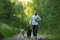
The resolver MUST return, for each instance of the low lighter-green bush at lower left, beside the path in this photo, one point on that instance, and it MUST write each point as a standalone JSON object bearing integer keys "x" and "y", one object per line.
{"x": 7, "y": 31}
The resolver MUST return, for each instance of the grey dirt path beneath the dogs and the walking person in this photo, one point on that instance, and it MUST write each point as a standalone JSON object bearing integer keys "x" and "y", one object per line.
{"x": 19, "y": 37}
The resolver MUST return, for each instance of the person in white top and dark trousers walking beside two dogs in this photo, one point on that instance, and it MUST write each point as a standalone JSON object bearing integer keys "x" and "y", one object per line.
{"x": 34, "y": 22}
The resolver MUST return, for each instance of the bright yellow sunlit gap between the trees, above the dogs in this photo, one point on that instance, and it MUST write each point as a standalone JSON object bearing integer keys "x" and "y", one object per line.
{"x": 28, "y": 10}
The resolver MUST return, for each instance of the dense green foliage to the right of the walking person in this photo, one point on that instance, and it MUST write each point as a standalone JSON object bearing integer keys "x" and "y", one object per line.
{"x": 49, "y": 12}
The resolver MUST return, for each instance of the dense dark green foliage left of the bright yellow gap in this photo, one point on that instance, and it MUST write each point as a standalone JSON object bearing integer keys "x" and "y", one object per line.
{"x": 9, "y": 18}
